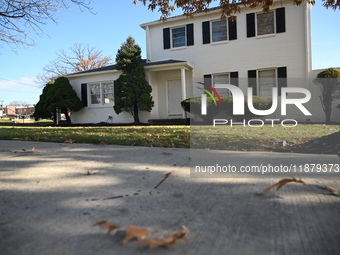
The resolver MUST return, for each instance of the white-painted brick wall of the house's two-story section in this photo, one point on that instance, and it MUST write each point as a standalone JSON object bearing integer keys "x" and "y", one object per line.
{"x": 289, "y": 49}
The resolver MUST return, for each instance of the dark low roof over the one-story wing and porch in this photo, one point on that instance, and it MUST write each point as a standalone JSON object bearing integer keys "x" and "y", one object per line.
{"x": 113, "y": 68}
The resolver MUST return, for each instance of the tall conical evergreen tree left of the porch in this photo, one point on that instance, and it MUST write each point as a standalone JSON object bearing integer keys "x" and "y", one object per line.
{"x": 132, "y": 91}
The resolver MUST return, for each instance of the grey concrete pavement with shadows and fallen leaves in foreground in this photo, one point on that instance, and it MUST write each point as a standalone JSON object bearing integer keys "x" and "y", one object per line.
{"x": 48, "y": 204}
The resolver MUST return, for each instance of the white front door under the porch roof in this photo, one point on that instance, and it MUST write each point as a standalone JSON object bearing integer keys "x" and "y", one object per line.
{"x": 174, "y": 98}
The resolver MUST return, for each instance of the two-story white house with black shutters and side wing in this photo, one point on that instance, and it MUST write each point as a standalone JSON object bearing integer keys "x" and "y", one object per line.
{"x": 258, "y": 50}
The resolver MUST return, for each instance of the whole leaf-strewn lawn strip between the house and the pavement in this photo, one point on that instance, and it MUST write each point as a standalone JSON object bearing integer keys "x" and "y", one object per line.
{"x": 220, "y": 137}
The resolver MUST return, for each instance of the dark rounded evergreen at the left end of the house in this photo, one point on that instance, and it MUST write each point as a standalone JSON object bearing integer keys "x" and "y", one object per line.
{"x": 57, "y": 95}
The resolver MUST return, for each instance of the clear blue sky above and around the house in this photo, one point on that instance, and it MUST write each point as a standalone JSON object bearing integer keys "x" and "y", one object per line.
{"x": 113, "y": 22}
